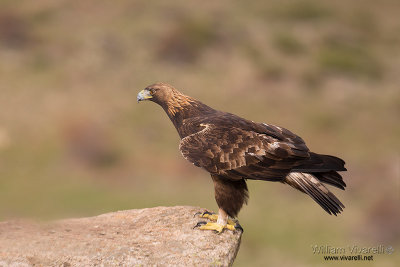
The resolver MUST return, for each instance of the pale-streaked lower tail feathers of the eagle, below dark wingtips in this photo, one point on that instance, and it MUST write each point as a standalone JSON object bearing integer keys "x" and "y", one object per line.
{"x": 312, "y": 186}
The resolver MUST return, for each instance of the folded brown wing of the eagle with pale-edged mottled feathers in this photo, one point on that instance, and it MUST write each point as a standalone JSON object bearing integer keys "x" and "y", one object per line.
{"x": 236, "y": 154}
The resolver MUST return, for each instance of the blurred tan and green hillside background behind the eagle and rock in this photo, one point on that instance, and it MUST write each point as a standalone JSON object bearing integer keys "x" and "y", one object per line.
{"x": 74, "y": 142}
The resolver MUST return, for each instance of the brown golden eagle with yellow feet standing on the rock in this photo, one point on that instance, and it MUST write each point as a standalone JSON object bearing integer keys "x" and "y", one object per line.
{"x": 233, "y": 150}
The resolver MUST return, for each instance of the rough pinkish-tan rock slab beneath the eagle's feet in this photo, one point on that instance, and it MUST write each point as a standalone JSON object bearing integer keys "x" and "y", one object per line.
{"x": 156, "y": 236}
